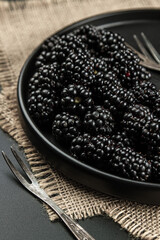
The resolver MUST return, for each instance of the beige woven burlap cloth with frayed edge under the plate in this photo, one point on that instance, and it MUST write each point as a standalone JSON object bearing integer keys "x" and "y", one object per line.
{"x": 23, "y": 26}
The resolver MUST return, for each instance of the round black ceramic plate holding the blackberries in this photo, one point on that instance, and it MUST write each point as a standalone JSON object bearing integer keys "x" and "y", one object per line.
{"x": 126, "y": 23}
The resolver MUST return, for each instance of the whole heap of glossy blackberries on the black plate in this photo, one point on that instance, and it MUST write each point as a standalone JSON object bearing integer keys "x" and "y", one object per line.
{"x": 93, "y": 96}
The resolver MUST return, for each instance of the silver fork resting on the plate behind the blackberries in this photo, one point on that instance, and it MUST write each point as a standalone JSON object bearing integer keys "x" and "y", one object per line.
{"x": 149, "y": 59}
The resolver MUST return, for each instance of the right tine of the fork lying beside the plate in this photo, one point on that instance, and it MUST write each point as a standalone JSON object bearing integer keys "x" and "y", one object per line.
{"x": 23, "y": 165}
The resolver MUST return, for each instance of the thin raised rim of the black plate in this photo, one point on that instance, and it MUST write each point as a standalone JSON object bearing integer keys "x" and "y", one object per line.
{"x": 40, "y": 134}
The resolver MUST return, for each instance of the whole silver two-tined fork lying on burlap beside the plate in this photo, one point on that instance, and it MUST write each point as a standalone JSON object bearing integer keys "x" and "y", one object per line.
{"x": 35, "y": 189}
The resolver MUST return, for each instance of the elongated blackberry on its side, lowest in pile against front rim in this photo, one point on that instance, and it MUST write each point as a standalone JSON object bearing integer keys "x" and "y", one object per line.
{"x": 127, "y": 163}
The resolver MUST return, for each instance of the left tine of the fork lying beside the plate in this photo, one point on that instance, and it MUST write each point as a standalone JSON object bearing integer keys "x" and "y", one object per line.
{"x": 15, "y": 172}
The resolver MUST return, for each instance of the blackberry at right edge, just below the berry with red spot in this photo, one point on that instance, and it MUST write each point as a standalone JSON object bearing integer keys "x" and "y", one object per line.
{"x": 145, "y": 93}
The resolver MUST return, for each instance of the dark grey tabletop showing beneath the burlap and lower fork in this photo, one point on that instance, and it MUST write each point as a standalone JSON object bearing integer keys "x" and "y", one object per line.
{"x": 23, "y": 217}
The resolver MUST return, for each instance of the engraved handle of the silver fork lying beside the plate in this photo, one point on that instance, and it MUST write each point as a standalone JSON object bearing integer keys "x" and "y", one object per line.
{"x": 74, "y": 227}
